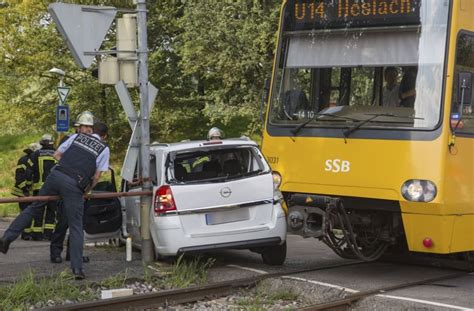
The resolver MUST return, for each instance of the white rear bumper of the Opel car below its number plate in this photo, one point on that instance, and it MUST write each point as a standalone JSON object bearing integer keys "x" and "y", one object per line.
{"x": 171, "y": 240}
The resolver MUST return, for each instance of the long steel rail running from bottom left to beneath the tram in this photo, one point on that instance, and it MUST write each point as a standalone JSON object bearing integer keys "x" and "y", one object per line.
{"x": 186, "y": 295}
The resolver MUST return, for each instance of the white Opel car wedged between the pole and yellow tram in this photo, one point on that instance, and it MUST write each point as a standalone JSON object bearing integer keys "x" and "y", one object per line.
{"x": 211, "y": 195}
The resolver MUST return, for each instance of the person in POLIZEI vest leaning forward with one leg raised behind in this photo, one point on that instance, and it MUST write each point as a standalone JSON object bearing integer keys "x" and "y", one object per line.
{"x": 82, "y": 159}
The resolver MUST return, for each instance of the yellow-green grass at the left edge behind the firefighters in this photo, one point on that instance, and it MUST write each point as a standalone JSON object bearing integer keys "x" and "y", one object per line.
{"x": 11, "y": 149}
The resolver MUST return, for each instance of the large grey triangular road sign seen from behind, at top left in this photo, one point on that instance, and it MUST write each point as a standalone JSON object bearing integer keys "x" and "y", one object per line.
{"x": 83, "y": 27}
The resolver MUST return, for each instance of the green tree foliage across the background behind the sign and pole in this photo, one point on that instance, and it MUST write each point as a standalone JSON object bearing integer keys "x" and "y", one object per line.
{"x": 208, "y": 59}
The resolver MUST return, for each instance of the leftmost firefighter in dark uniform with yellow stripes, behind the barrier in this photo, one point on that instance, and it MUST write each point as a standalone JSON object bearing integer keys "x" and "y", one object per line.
{"x": 23, "y": 181}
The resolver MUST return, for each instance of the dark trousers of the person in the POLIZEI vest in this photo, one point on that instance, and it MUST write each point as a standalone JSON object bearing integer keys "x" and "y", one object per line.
{"x": 60, "y": 184}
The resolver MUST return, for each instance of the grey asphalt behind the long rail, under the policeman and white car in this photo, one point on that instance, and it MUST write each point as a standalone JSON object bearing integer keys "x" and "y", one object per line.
{"x": 108, "y": 260}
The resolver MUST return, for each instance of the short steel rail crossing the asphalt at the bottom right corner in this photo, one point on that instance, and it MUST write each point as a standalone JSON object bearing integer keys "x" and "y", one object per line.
{"x": 347, "y": 301}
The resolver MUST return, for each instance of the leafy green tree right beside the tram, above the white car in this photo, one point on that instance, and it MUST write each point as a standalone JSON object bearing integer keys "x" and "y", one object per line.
{"x": 226, "y": 47}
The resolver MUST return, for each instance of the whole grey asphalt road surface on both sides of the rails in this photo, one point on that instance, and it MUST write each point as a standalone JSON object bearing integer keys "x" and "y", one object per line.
{"x": 453, "y": 294}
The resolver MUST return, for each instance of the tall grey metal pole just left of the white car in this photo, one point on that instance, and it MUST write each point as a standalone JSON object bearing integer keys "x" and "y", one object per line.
{"x": 145, "y": 201}
